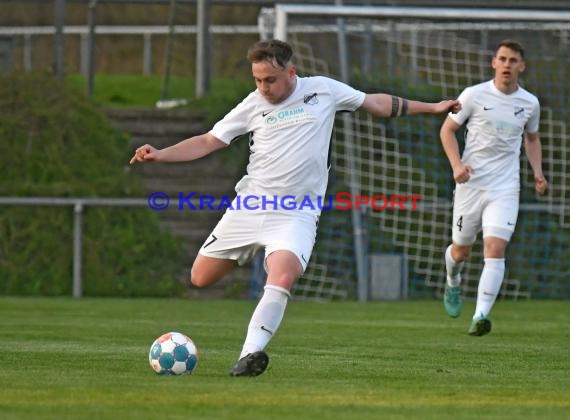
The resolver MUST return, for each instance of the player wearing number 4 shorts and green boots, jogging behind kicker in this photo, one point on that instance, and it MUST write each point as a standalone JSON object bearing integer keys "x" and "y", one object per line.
{"x": 498, "y": 114}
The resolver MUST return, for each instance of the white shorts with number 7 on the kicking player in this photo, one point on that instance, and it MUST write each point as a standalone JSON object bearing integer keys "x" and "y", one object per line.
{"x": 241, "y": 233}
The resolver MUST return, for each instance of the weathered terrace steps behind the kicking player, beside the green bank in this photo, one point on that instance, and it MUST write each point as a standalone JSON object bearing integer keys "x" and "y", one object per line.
{"x": 210, "y": 175}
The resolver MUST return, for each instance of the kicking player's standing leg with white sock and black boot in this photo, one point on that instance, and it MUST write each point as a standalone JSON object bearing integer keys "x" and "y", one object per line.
{"x": 283, "y": 269}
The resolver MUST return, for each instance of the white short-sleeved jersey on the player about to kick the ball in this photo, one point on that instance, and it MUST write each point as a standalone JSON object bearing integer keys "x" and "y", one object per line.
{"x": 289, "y": 141}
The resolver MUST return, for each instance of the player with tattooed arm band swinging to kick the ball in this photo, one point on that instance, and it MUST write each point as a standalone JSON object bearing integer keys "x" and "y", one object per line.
{"x": 290, "y": 121}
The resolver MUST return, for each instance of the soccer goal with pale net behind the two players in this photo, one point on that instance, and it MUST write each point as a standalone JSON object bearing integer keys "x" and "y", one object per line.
{"x": 427, "y": 58}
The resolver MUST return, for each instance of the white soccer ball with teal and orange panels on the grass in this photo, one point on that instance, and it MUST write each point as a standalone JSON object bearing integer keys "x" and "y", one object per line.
{"x": 173, "y": 353}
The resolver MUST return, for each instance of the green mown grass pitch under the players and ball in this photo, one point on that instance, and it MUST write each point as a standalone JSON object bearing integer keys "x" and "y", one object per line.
{"x": 88, "y": 359}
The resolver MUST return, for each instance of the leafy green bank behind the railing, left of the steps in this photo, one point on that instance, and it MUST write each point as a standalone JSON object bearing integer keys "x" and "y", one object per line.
{"x": 56, "y": 143}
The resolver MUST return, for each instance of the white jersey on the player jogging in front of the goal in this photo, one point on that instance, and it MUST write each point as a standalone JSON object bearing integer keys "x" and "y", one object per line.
{"x": 496, "y": 123}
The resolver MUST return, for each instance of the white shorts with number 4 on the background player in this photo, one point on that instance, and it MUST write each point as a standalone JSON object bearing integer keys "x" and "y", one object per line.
{"x": 493, "y": 211}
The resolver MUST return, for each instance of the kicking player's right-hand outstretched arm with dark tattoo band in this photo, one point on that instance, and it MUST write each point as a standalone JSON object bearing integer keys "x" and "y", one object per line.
{"x": 383, "y": 105}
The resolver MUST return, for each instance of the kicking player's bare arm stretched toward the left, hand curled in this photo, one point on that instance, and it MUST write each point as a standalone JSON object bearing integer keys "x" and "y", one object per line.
{"x": 189, "y": 149}
